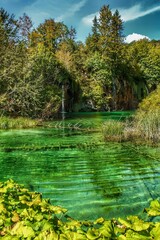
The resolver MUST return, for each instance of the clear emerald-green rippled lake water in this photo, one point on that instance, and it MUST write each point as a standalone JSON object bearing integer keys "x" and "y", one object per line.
{"x": 77, "y": 170}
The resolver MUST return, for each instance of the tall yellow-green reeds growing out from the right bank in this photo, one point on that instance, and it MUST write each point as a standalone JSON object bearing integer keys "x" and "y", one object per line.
{"x": 143, "y": 127}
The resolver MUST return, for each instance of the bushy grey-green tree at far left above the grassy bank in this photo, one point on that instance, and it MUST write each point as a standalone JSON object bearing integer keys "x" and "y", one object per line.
{"x": 22, "y": 93}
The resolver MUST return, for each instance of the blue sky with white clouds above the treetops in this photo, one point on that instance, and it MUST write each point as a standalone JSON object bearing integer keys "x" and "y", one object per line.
{"x": 141, "y": 17}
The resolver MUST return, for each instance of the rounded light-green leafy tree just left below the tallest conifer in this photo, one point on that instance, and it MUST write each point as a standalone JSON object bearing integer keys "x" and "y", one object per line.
{"x": 99, "y": 79}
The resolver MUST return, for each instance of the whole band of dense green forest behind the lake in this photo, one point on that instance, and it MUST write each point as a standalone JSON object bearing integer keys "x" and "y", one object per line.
{"x": 102, "y": 74}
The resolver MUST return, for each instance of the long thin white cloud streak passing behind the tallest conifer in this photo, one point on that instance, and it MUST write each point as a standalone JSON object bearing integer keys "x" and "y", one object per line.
{"x": 127, "y": 14}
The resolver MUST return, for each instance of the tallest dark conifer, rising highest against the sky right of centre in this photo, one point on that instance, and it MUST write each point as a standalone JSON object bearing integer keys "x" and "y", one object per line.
{"x": 107, "y": 40}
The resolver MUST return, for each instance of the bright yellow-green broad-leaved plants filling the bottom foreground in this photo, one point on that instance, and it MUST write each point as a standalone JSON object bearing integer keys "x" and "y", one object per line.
{"x": 25, "y": 215}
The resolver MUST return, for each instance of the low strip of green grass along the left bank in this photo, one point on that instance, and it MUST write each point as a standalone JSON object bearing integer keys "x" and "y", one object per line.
{"x": 17, "y": 123}
